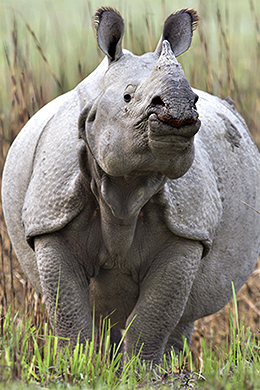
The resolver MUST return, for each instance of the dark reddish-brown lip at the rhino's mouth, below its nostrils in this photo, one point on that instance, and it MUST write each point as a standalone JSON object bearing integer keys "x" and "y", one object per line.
{"x": 172, "y": 126}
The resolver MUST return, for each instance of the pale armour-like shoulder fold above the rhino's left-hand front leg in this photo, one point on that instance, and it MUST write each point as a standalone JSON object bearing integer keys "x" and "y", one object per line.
{"x": 53, "y": 197}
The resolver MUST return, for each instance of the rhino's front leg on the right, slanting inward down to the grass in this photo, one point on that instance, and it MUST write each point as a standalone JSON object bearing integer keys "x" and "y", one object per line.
{"x": 163, "y": 296}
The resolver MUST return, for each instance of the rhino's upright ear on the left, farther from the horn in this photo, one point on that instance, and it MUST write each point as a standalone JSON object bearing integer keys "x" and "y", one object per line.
{"x": 109, "y": 26}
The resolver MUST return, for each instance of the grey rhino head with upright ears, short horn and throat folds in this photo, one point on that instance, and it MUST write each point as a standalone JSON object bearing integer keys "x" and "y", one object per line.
{"x": 140, "y": 128}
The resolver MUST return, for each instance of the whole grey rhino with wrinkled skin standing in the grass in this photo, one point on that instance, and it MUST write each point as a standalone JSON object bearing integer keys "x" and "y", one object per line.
{"x": 120, "y": 194}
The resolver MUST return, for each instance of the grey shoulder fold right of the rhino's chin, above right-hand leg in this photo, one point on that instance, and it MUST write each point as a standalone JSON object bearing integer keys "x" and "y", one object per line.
{"x": 193, "y": 206}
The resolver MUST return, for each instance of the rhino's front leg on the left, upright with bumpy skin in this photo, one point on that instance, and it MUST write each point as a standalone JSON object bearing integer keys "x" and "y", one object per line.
{"x": 61, "y": 270}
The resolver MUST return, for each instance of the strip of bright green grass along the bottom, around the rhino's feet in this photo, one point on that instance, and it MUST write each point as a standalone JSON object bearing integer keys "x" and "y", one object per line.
{"x": 29, "y": 359}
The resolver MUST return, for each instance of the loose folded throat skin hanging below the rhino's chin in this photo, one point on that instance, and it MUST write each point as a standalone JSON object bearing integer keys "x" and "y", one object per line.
{"x": 121, "y": 200}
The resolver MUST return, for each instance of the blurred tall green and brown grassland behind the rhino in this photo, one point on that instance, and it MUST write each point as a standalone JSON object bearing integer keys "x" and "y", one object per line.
{"x": 48, "y": 46}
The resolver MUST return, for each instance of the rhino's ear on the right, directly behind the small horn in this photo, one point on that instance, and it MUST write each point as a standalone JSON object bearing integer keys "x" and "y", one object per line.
{"x": 178, "y": 29}
